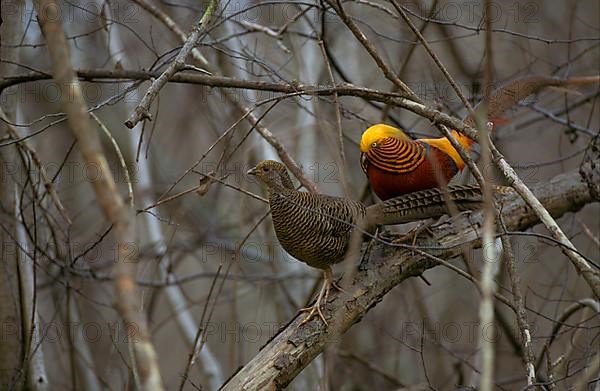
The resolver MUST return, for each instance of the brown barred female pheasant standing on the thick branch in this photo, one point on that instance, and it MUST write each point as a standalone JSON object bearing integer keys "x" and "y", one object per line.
{"x": 317, "y": 228}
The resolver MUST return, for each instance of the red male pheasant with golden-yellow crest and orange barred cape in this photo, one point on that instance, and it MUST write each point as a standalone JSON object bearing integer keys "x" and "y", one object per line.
{"x": 395, "y": 164}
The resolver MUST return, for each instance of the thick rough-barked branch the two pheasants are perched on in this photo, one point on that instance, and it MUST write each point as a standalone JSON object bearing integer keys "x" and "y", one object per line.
{"x": 295, "y": 346}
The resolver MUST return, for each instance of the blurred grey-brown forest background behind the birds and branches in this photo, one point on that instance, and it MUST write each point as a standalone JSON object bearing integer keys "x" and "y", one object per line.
{"x": 207, "y": 258}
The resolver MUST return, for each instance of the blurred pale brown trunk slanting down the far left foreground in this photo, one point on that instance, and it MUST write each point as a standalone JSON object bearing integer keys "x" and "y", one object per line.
{"x": 112, "y": 204}
